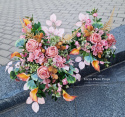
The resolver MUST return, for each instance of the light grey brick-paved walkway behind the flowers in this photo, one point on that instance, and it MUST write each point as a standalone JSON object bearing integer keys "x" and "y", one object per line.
{"x": 66, "y": 10}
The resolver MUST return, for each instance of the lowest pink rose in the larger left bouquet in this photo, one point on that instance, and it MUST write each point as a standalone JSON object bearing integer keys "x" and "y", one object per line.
{"x": 43, "y": 72}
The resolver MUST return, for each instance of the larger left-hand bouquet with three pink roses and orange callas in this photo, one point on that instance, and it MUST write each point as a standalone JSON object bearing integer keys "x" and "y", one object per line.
{"x": 44, "y": 63}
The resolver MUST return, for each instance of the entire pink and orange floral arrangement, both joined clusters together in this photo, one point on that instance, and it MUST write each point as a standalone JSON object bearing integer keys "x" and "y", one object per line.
{"x": 44, "y": 62}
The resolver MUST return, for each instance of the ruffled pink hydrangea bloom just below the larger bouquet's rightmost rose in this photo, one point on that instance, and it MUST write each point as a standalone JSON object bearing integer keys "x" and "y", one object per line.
{"x": 59, "y": 61}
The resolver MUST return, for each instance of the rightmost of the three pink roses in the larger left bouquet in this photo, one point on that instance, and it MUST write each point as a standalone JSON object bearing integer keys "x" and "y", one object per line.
{"x": 52, "y": 51}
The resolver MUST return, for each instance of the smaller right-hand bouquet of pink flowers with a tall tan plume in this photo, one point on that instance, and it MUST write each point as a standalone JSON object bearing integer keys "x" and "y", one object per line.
{"x": 93, "y": 41}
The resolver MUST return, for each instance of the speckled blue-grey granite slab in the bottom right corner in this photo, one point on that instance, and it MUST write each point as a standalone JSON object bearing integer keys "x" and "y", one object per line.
{"x": 100, "y": 101}
